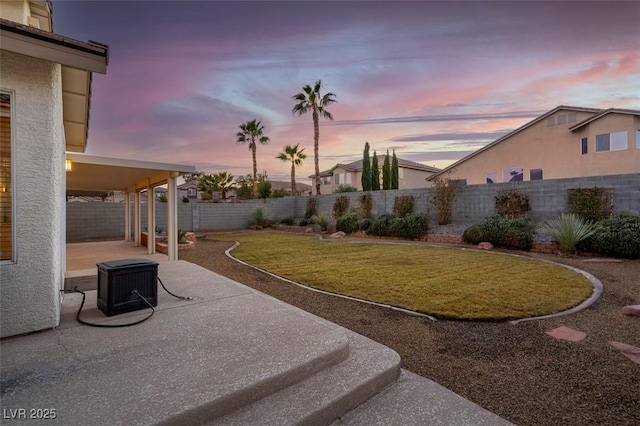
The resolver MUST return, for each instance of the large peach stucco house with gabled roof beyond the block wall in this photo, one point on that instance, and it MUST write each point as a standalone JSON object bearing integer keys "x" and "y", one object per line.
{"x": 566, "y": 142}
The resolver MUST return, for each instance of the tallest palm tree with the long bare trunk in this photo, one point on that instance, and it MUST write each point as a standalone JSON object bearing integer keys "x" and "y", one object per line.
{"x": 310, "y": 99}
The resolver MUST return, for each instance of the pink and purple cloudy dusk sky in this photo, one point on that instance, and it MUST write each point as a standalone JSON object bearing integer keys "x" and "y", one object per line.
{"x": 432, "y": 80}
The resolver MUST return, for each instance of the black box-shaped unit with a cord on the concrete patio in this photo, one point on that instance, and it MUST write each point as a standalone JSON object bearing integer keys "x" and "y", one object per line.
{"x": 118, "y": 278}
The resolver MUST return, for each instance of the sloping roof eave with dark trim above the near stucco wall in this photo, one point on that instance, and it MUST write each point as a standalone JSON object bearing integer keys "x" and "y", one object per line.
{"x": 78, "y": 60}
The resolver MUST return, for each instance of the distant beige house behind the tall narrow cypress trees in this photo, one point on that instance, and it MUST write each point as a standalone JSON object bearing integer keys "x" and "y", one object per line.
{"x": 411, "y": 175}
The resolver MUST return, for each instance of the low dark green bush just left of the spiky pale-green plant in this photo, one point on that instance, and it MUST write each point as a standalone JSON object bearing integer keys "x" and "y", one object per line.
{"x": 501, "y": 232}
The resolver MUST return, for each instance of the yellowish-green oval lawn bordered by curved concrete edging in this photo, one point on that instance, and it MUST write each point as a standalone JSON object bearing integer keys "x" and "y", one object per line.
{"x": 444, "y": 282}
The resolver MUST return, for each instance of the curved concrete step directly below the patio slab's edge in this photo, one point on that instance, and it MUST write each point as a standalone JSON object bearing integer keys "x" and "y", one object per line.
{"x": 328, "y": 394}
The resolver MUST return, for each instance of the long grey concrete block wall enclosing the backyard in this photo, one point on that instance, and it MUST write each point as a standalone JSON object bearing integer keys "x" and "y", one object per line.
{"x": 86, "y": 221}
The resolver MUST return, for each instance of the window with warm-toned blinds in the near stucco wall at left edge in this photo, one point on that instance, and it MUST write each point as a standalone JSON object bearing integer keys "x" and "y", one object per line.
{"x": 7, "y": 230}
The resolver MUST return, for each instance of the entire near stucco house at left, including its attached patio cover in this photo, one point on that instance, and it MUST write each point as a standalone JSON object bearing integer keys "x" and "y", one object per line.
{"x": 45, "y": 93}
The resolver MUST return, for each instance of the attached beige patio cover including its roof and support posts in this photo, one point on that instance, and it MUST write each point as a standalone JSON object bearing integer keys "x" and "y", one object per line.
{"x": 94, "y": 173}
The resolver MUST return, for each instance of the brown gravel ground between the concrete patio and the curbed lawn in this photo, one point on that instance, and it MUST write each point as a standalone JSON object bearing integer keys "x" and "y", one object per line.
{"x": 515, "y": 371}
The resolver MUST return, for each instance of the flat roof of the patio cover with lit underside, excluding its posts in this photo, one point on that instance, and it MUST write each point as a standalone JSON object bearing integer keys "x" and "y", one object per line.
{"x": 93, "y": 173}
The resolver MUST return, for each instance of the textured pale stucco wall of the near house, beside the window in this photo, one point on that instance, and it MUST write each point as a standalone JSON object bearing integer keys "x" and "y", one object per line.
{"x": 29, "y": 287}
